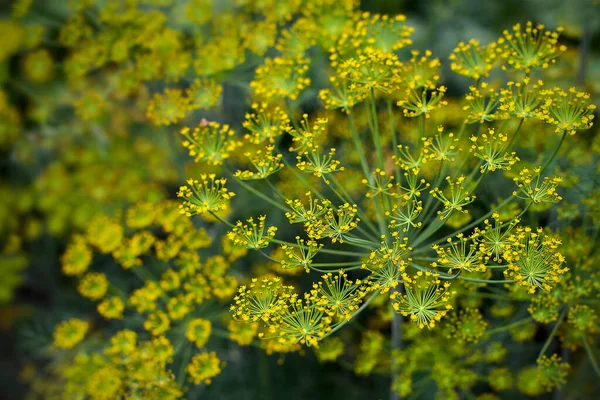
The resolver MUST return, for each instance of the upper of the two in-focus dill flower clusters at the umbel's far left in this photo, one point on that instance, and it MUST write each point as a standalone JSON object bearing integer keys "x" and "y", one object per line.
{"x": 210, "y": 142}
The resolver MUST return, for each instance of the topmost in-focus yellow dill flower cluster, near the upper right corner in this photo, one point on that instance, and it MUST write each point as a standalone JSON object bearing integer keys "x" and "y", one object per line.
{"x": 530, "y": 46}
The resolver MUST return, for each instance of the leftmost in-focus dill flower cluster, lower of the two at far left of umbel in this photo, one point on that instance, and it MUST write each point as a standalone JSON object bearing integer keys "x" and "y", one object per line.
{"x": 206, "y": 195}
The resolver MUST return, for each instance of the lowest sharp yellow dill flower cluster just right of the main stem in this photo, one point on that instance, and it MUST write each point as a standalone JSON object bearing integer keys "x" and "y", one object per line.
{"x": 426, "y": 300}
